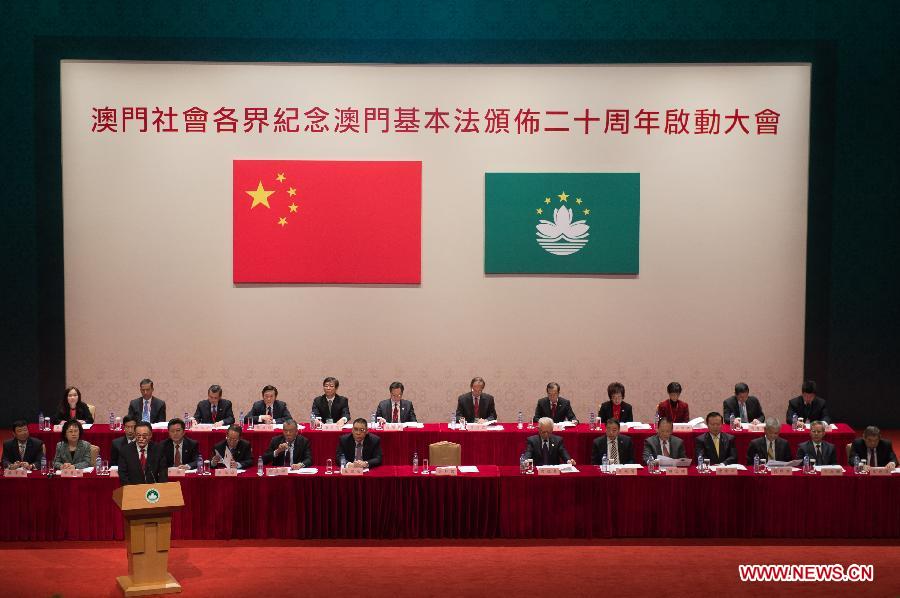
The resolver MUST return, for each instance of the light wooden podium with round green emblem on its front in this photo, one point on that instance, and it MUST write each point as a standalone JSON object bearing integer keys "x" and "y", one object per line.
{"x": 148, "y": 512}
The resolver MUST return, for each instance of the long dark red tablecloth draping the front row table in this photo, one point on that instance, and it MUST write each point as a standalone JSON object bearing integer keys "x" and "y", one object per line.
{"x": 391, "y": 502}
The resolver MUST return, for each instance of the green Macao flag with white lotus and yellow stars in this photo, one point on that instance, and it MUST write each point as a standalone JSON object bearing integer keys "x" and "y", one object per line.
{"x": 561, "y": 223}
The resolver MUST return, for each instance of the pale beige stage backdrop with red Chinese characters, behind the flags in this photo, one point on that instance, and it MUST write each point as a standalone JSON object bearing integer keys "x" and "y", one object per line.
{"x": 719, "y": 297}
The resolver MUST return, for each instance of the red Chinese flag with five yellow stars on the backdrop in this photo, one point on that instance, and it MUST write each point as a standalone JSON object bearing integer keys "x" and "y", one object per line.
{"x": 300, "y": 221}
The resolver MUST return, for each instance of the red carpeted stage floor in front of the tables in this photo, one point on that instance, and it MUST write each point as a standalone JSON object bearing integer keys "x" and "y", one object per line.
{"x": 448, "y": 569}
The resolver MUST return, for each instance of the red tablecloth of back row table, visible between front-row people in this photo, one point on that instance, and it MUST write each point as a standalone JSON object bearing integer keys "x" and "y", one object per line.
{"x": 498, "y": 447}
